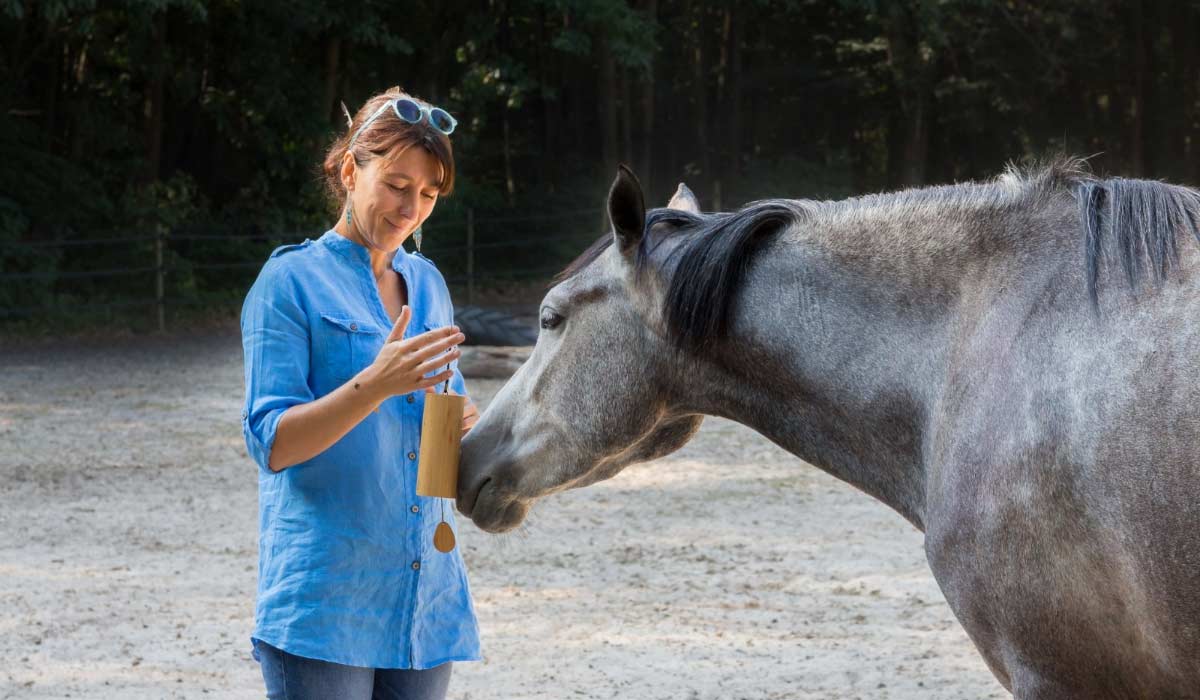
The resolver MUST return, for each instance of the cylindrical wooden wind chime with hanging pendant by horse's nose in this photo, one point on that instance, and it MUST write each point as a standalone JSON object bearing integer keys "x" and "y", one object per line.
{"x": 437, "y": 471}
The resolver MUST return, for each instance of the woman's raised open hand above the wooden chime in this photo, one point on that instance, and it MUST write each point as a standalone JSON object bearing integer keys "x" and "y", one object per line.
{"x": 403, "y": 366}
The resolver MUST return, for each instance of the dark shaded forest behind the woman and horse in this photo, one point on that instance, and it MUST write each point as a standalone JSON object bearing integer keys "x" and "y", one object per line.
{"x": 201, "y": 123}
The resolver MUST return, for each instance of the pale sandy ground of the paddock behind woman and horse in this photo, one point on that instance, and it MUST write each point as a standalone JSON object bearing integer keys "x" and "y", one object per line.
{"x": 728, "y": 571}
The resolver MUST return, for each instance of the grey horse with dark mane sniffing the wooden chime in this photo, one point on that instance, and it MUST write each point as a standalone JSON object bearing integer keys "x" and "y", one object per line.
{"x": 1011, "y": 366}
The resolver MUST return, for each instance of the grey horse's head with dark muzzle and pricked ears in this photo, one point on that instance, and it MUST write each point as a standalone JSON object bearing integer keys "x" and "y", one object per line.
{"x": 598, "y": 393}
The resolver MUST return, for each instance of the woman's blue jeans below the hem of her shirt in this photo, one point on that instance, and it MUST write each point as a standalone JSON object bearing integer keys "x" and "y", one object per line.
{"x": 292, "y": 678}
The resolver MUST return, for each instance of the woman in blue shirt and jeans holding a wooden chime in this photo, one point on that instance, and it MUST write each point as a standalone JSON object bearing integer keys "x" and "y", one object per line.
{"x": 343, "y": 338}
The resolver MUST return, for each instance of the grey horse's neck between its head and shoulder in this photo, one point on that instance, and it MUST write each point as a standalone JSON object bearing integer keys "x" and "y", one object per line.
{"x": 838, "y": 354}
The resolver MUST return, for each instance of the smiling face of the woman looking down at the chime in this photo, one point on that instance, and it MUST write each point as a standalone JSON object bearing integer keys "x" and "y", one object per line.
{"x": 393, "y": 195}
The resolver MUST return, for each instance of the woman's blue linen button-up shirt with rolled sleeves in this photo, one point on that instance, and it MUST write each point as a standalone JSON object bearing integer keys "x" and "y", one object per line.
{"x": 347, "y": 571}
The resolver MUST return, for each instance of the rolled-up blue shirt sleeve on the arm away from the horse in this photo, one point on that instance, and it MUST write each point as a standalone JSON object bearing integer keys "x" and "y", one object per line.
{"x": 277, "y": 355}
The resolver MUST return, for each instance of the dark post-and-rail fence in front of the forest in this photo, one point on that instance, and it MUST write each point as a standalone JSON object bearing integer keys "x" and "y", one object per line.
{"x": 473, "y": 278}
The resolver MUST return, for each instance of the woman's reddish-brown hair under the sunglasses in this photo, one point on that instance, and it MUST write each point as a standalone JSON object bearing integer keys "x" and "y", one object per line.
{"x": 386, "y": 133}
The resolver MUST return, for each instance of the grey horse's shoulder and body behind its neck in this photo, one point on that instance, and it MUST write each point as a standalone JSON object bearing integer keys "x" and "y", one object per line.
{"x": 1061, "y": 486}
